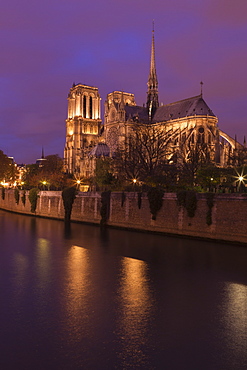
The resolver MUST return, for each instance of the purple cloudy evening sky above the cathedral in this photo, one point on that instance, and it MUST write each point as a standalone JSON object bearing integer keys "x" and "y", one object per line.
{"x": 47, "y": 45}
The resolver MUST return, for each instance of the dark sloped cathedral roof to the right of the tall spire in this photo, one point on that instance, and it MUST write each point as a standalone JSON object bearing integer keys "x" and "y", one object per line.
{"x": 187, "y": 107}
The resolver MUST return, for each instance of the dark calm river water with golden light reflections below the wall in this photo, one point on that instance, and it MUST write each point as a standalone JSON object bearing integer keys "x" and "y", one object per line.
{"x": 90, "y": 299}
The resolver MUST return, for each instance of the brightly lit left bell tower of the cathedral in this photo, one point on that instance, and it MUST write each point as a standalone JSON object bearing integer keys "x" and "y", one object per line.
{"x": 83, "y": 125}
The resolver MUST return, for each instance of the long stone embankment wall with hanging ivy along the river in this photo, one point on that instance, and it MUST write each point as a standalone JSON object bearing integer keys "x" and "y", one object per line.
{"x": 229, "y": 213}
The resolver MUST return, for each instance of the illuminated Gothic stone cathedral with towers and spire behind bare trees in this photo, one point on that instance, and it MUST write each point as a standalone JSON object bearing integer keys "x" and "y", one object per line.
{"x": 187, "y": 124}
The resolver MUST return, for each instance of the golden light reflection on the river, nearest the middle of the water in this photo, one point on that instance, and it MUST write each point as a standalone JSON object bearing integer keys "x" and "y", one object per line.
{"x": 135, "y": 306}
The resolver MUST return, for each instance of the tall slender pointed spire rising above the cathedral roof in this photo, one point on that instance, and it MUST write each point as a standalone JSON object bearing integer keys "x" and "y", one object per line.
{"x": 152, "y": 94}
